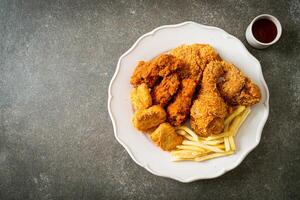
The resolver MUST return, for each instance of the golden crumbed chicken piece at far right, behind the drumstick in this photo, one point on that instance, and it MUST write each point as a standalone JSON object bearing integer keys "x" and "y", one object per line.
{"x": 236, "y": 88}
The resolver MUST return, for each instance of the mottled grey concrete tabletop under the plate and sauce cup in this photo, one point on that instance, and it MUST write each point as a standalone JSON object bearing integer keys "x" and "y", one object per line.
{"x": 56, "y": 138}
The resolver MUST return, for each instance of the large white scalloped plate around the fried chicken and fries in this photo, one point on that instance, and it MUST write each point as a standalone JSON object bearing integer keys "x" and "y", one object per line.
{"x": 139, "y": 147}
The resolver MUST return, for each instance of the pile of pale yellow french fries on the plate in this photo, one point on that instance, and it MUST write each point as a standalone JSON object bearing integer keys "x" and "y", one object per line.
{"x": 195, "y": 148}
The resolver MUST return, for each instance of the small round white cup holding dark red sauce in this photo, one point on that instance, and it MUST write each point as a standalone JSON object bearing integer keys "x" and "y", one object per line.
{"x": 253, "y": 41}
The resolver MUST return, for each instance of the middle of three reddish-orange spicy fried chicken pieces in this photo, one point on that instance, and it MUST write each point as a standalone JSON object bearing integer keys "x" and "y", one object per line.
{"x": 165, "y": 90}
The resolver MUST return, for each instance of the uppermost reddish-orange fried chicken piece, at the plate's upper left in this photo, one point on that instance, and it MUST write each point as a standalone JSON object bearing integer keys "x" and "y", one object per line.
{"x": 151, "y": 72}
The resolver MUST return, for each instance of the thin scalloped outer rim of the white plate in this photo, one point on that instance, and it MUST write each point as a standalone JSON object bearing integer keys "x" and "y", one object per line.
{"x": 194, "y": 178}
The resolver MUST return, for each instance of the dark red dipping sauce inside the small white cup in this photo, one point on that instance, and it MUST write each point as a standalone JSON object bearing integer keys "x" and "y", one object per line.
{"x": 264, "y": 30}
